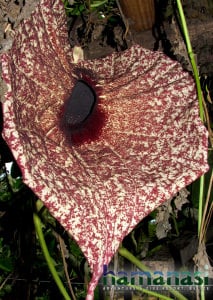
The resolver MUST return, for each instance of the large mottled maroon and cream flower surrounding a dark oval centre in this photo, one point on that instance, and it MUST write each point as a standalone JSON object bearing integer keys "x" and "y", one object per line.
{"x": 150, "y": 142}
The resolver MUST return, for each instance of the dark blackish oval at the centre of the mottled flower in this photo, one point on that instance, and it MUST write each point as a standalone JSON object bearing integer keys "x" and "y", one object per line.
{"x": 80, "y": 105}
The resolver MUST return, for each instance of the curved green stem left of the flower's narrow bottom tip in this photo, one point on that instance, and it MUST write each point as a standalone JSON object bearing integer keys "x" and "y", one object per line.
{"x": 38, "y": 228}
